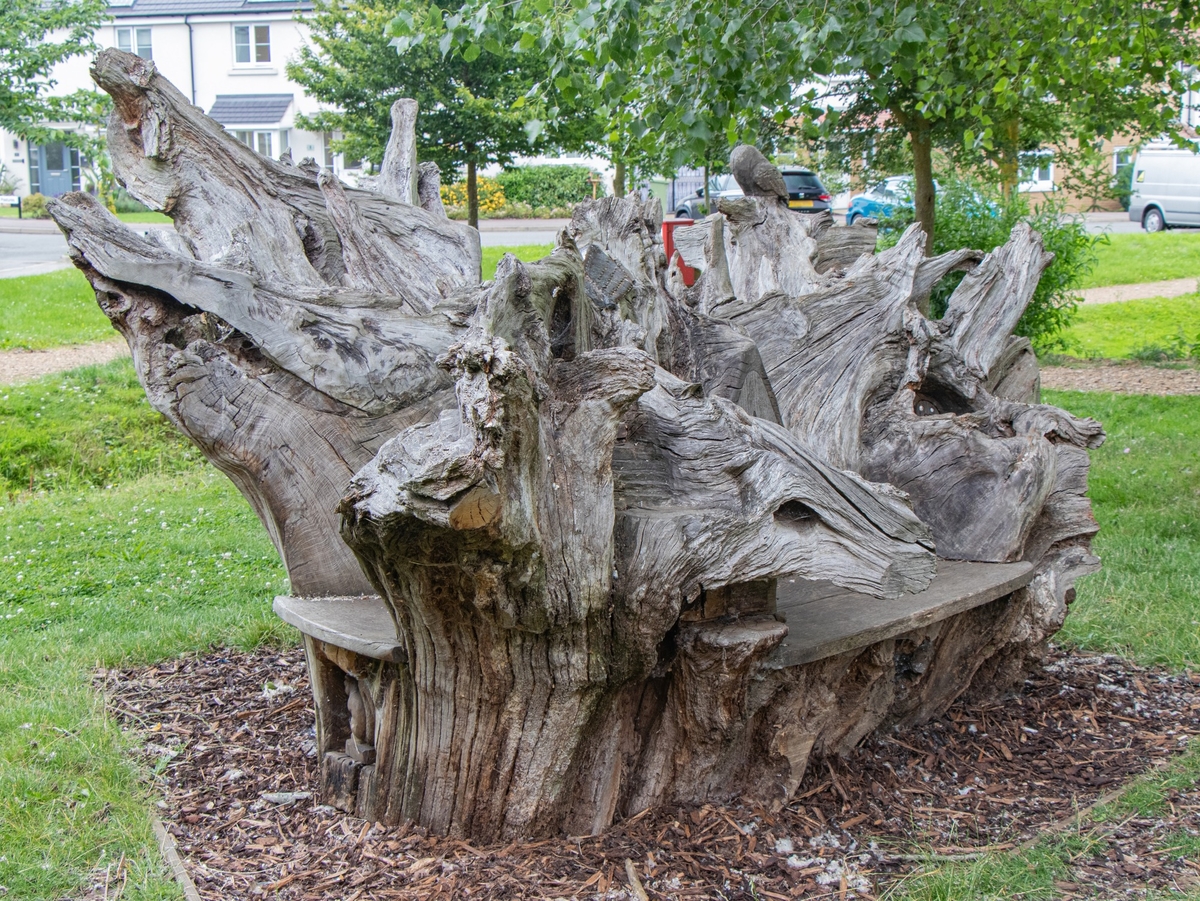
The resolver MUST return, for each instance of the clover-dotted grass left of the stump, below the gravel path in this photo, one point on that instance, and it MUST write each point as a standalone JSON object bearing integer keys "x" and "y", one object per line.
{"x": 131, "y": 549}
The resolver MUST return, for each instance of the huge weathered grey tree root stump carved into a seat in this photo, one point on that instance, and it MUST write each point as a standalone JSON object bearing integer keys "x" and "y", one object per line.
{"x": 577, "y": 489}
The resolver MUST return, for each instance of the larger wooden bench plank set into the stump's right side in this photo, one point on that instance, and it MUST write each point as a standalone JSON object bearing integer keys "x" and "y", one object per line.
{"x": 825, "y": 621}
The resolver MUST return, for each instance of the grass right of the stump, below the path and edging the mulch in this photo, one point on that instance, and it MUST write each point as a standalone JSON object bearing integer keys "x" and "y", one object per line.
{"x": 1144, "y": 605}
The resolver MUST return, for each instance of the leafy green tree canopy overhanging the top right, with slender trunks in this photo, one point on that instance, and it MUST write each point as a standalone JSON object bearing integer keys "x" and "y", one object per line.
{"x": 946, "y": 73}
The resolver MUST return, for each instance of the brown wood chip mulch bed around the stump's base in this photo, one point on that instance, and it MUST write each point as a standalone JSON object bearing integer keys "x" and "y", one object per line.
{"x": 231, "y": 736}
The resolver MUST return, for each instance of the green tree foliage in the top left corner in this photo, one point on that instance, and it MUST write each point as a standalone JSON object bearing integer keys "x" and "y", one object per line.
{"x": 35, "y": 37}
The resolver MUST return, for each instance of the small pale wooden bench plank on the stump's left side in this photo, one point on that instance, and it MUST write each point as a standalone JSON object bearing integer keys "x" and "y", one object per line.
{"x": 361, "y": 624}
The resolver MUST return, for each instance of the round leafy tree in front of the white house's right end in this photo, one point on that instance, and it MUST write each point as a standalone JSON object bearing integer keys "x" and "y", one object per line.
{"x": 473, "y": 107}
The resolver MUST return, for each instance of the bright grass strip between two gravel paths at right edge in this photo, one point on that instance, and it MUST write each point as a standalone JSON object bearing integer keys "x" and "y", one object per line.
{"x": 1159, "y": 329}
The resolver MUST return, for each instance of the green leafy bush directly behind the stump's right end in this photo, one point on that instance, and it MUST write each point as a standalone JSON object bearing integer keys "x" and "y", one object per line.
{"x": 974, "y": 215}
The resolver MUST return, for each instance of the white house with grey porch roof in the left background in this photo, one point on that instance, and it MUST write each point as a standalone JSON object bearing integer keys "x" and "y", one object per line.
{"x": 227, "y": 56}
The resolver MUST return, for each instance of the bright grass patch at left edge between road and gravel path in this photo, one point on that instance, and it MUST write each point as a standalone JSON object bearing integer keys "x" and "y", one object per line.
{"x": 50, "y": 310}
